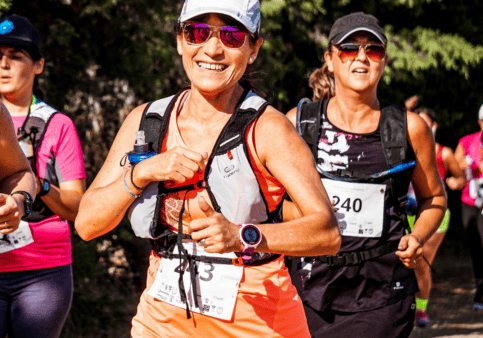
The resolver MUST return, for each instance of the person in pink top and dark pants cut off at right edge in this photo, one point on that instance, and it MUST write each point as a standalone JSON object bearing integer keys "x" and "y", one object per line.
{"x": 468, "y": 153}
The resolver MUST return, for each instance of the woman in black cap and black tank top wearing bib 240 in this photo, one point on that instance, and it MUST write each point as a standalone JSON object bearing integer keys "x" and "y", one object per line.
{"x": 368, "y": 289}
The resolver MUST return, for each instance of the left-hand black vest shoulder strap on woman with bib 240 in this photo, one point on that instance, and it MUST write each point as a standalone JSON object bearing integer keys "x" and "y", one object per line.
{"x": 308, "y": 122}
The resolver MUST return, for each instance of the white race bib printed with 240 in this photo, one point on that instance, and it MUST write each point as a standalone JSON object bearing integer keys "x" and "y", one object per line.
{"x": 359, "y": 207}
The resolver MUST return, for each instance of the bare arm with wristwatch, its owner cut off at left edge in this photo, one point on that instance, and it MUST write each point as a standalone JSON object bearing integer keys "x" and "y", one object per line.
{"x": 15, "y": 175}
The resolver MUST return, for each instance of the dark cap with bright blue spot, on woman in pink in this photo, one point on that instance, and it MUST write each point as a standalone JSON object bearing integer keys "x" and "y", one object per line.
{"x": 16, "y": 30}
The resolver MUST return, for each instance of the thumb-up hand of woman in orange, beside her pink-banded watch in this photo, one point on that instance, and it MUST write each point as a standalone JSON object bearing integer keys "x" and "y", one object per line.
{"x": 220, "y": 235}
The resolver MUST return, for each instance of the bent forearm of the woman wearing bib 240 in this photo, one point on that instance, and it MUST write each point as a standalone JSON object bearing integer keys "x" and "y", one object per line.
{"x": 429, "y": 216}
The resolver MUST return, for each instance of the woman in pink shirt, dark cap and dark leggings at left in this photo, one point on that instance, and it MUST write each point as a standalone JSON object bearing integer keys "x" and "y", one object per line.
{"x": 36, "y": 273}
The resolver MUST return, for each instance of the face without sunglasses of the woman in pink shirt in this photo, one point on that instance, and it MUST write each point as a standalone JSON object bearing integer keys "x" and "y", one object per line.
{"x": 17, "y": 71}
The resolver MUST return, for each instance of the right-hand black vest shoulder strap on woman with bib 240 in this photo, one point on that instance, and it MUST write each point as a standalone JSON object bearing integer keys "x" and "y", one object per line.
{"x": 393, "y": 127}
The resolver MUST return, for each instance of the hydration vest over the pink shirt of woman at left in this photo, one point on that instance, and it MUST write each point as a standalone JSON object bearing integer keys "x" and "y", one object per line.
{"x": 35, "y": 125}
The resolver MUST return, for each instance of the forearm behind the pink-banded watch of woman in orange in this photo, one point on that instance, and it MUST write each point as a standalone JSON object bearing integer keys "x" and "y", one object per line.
{"x": 312, "y": 235}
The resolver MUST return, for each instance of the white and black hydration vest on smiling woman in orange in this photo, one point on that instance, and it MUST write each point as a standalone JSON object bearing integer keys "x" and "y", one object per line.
{"x": 229, "y": 180}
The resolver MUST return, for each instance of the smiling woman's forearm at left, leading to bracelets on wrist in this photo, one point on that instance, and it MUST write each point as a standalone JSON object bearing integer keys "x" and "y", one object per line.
{"x": 102, "y": 209}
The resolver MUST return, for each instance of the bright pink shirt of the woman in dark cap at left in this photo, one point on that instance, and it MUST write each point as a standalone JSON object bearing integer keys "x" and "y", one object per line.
{"x": 52, "y": 246}
